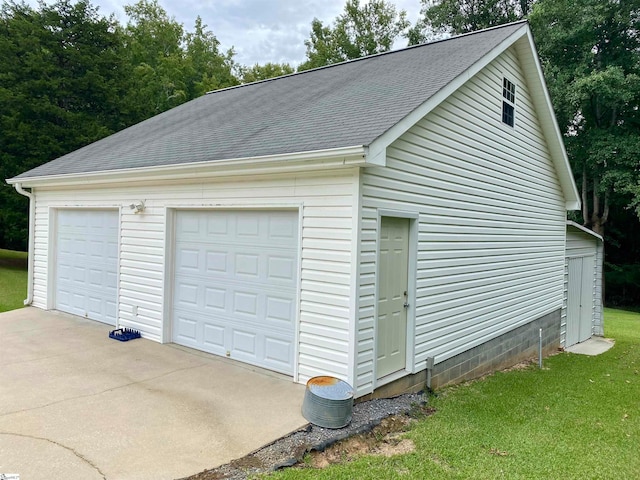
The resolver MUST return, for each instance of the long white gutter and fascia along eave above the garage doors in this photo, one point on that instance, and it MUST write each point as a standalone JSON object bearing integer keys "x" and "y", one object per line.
{"x": 291, "y": 162}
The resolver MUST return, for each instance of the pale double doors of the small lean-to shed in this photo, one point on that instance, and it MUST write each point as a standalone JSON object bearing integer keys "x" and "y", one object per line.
{"x": 580, "y": 300}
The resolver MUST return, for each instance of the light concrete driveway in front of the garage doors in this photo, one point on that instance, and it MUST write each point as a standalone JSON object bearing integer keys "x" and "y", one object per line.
{"x": 75, "y": 404}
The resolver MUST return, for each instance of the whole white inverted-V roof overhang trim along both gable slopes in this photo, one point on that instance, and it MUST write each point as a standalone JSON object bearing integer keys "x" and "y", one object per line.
{"x": 522, "y": 40}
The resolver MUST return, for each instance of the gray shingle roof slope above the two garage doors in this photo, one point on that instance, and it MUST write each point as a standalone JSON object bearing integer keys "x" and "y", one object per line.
{"x": 344, "y": 105}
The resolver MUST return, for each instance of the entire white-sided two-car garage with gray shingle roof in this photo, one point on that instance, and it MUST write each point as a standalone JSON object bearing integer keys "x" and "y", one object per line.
{"x": 369, "y": 220}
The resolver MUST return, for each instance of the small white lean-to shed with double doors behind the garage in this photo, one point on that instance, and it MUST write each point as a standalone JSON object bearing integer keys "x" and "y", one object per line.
{"x": 582, "y": 314}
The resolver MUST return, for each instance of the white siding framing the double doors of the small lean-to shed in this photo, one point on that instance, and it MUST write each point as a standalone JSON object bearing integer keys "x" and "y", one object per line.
{"x": 581, "y": 244}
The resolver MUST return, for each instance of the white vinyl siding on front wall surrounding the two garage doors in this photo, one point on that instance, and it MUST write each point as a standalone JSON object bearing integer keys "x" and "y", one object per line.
{"x": 325, "y": 200}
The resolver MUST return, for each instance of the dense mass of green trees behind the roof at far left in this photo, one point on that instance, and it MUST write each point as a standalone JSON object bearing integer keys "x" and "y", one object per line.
{"x": 69, "y": 76}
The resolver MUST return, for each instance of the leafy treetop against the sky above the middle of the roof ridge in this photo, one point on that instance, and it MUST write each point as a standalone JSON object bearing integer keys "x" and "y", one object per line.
{"x": 359, "y": 31}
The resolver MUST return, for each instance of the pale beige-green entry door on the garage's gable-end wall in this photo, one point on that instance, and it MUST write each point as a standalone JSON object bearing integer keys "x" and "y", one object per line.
{"x": 392, "y": 296}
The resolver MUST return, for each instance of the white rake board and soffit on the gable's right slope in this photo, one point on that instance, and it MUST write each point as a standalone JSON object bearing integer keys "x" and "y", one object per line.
{"x": 540, "y": 96}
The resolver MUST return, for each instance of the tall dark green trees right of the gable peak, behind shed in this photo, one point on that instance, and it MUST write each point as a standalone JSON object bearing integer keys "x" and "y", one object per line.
{"x": 590, "y": 54}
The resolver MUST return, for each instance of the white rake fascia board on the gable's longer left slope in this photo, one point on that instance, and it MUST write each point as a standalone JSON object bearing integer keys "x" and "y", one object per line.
{"x": 378, "y": 147}
